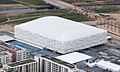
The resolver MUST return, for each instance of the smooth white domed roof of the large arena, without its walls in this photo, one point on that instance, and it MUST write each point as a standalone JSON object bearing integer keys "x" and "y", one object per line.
{"x": 59, "y": 29}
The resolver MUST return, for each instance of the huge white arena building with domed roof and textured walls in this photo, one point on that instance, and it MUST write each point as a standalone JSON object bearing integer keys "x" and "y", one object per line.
{"x": 59, "y": 34}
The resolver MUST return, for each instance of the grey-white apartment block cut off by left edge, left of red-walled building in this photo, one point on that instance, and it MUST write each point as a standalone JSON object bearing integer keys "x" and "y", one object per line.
{"x": 5, "y": 57}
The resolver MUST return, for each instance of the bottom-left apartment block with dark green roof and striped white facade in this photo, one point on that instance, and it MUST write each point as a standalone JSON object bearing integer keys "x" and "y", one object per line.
{"x": 24, "y": 66}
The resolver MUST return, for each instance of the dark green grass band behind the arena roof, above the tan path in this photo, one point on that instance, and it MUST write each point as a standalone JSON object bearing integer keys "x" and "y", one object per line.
{"x": 71, "y": 16}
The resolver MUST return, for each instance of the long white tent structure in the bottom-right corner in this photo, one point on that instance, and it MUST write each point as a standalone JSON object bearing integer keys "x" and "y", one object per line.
{"x": 108, "y": 65}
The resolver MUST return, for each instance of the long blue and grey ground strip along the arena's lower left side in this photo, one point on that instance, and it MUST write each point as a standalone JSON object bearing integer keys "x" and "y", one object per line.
{"x": 31, "y": 49}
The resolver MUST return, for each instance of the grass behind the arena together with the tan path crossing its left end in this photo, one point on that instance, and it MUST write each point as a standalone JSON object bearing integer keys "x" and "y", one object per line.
{"x": 33, "y": 15}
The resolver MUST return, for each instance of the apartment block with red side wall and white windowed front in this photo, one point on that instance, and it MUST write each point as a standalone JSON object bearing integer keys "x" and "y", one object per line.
{"x": 18, "y": 54}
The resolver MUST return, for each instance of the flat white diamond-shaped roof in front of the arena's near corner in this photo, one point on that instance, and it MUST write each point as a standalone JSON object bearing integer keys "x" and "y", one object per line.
{"x": 74, "y": 57}
